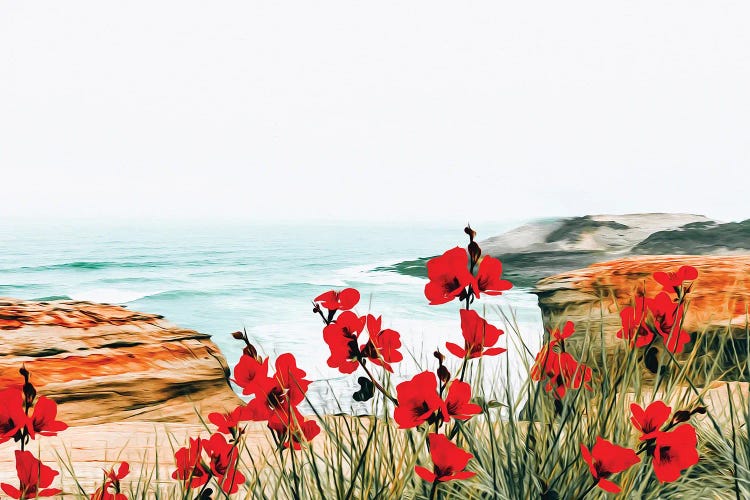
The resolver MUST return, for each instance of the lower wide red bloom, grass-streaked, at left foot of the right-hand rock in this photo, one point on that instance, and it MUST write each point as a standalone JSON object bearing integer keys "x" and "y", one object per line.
{"x": 561, "y": 370}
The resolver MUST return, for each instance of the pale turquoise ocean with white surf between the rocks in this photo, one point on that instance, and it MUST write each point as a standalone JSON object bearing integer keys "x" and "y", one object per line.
{"x": 219, "y": 278}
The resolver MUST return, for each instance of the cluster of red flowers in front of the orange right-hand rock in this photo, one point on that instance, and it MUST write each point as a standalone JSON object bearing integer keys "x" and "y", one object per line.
{"x": 661, "y": 316}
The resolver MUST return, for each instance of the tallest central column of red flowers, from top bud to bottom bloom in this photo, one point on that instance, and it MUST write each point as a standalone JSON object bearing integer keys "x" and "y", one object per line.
{"x": 433, "y": 399}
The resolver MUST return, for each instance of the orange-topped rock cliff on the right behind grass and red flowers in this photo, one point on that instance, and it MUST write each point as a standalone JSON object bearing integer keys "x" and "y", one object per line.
{"x": 592, "y": 298}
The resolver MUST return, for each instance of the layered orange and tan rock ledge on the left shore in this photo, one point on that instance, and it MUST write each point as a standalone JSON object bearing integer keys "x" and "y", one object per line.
{"x": 104, "y": 363}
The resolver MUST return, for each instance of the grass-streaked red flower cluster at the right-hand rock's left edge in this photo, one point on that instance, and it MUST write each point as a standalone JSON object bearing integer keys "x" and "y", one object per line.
{"x": 559, "y": 368}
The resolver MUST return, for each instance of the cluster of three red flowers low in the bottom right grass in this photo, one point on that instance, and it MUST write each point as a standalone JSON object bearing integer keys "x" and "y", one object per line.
{"x": 672, "y": 447}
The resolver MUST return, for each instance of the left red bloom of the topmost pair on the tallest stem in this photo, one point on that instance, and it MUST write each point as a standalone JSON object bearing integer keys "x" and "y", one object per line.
{"x": 449, "y": 275}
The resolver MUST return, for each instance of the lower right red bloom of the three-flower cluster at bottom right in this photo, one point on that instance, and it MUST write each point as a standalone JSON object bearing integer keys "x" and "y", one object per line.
{"x": 674, "y": 452}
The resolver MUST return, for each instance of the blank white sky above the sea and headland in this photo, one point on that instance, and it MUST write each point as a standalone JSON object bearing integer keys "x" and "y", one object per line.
{"x": 378, "y": 111}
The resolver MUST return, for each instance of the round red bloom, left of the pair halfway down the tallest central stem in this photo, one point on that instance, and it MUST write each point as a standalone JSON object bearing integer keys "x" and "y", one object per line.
{"x": 418, "y": 400}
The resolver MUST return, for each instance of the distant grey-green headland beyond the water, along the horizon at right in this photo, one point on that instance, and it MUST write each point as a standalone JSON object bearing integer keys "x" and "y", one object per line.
{"x": 543, "y": 248}
